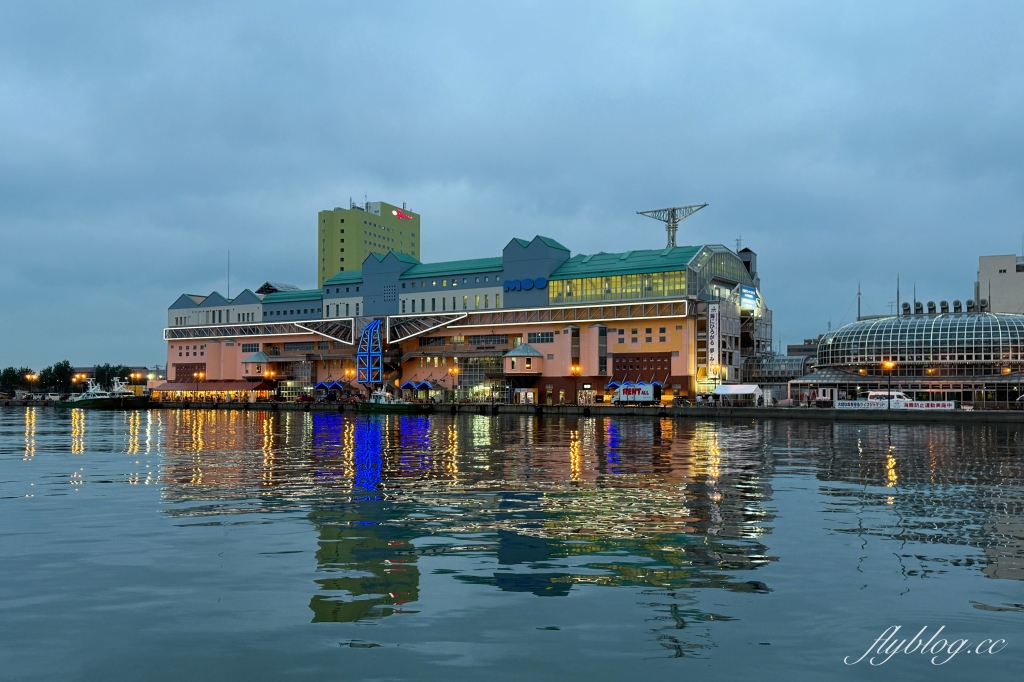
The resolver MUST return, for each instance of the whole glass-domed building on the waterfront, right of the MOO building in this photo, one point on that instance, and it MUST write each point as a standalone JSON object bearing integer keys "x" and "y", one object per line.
{"x": 966, "y": 357}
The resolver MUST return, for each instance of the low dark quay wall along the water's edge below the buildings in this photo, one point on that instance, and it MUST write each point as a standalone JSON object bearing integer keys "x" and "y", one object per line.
{"x": 820, "y": 414}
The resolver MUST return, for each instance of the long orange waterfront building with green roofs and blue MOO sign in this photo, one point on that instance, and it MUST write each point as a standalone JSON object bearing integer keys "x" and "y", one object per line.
{"x": 534, "y": 325}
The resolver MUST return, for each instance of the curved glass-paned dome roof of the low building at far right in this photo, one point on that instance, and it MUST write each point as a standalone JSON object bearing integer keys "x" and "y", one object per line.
{"x": 951, "y": 338}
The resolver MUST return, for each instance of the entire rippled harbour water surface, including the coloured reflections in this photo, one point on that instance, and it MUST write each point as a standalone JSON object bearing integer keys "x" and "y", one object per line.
{"x": 234, "y": 546}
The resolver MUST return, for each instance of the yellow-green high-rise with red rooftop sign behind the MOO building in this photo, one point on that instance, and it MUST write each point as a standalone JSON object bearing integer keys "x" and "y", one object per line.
{"x": 347, "y": 237}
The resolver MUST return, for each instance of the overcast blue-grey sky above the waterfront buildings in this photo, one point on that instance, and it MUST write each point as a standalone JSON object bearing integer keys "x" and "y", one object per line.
{"x": 842, "y": 142}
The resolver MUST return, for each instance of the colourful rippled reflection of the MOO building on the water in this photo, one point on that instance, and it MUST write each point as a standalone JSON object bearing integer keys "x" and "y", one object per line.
{"x": 551, "y": 505}
